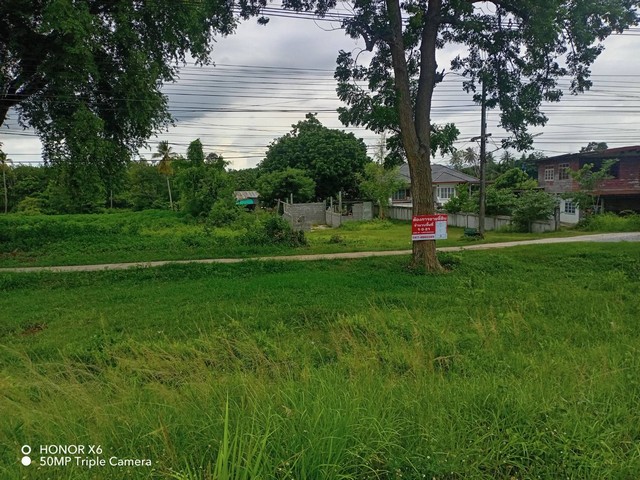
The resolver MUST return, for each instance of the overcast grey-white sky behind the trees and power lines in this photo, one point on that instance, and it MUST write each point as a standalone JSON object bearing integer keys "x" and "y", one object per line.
{"x": 266, "y": 78}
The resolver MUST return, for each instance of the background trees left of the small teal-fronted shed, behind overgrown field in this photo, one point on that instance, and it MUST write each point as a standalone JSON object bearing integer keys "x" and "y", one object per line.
{"x": 197, "y": 184}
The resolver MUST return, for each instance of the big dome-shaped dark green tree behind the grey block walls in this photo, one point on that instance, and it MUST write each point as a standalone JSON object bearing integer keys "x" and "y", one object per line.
{"x": 332, "y": 158}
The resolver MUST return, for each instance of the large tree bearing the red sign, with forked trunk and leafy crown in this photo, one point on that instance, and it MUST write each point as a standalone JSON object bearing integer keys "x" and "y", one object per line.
{"x": 518, "y": 50}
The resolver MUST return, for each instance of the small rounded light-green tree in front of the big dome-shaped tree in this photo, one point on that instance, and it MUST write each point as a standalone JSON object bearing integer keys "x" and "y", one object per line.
{"x": 280, "y": 185}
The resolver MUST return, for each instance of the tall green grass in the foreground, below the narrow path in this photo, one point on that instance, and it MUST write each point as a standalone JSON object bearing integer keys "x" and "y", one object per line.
{"x": 519, "y": 363}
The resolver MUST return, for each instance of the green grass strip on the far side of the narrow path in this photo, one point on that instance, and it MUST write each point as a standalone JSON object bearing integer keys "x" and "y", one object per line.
{"x": 161, "y": 235}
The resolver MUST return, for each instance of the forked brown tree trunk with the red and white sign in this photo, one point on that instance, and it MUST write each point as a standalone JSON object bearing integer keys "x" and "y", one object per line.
{"x": 415, "y": 126}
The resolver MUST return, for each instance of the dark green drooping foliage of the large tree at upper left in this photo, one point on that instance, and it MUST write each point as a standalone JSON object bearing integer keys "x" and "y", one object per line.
{"x": 64, "y": 63}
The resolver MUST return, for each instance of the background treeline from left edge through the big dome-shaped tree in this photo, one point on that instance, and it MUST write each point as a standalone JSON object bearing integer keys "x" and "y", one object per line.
{"x": 310, "y": 162}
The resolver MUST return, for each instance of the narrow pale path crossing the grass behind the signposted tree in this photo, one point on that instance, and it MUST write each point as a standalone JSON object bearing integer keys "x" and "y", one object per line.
{"x": 602, "y": 237}
